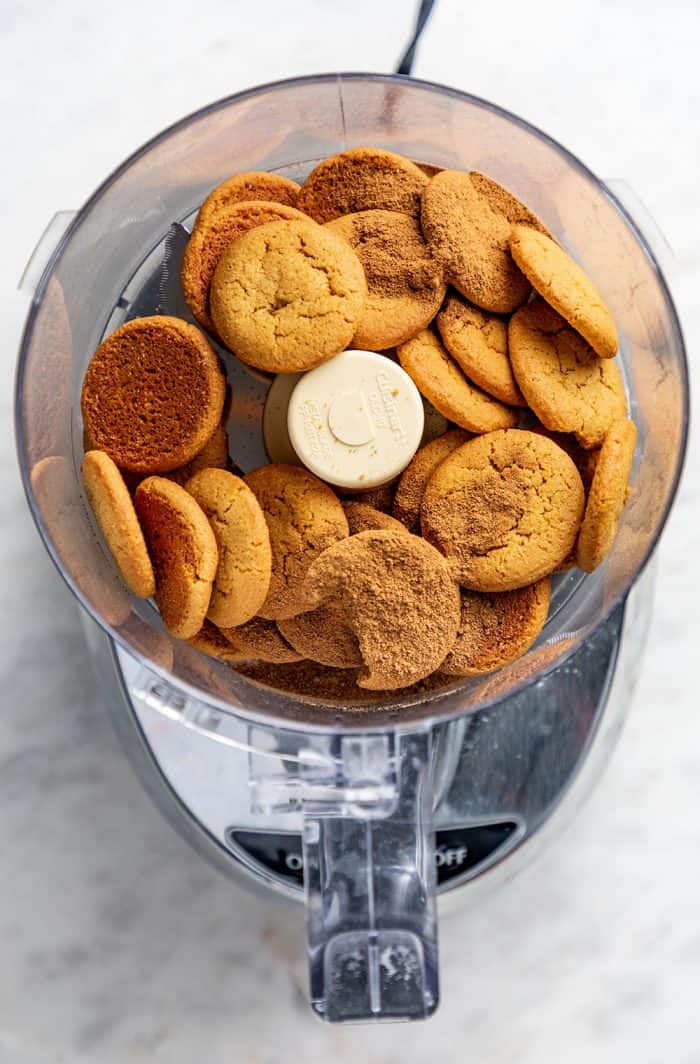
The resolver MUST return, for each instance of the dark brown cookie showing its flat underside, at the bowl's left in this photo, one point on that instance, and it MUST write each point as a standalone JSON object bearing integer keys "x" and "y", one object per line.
{"x": 153, "y": 394}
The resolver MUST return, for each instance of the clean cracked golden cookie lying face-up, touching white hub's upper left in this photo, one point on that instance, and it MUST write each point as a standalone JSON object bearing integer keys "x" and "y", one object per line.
{"x": 288, "y": 296}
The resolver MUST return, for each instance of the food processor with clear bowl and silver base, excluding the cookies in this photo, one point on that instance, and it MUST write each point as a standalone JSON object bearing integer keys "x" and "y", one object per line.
{"x": 377, "y": 809}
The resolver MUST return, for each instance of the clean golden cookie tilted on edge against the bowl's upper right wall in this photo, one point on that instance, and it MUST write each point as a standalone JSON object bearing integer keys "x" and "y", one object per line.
{"x": 566, "y": 288}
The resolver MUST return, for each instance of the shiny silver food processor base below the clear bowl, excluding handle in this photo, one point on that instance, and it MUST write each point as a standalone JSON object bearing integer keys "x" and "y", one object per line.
{"x": 506, "y": 776}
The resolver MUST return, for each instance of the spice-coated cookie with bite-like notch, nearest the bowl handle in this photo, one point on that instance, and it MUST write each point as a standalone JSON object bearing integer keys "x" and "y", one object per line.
{"x": 399, "y": 600}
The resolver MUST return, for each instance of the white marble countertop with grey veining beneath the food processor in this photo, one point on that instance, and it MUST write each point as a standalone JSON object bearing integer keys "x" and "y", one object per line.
{"x": 119, "y": 943}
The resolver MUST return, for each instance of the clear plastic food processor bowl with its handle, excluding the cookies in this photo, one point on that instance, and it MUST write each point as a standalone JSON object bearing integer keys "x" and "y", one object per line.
{"x": 362, "y": 774}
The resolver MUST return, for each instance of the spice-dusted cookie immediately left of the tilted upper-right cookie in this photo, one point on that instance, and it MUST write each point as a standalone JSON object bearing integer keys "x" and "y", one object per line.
{"x": 468, "y": 221}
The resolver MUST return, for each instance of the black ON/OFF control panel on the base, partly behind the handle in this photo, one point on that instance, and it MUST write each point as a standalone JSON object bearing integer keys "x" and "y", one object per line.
{"x": 458, "y": 851}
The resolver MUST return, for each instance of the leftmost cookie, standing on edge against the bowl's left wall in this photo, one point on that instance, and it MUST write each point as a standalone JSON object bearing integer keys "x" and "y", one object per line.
{"x": 111, "y": 502}
